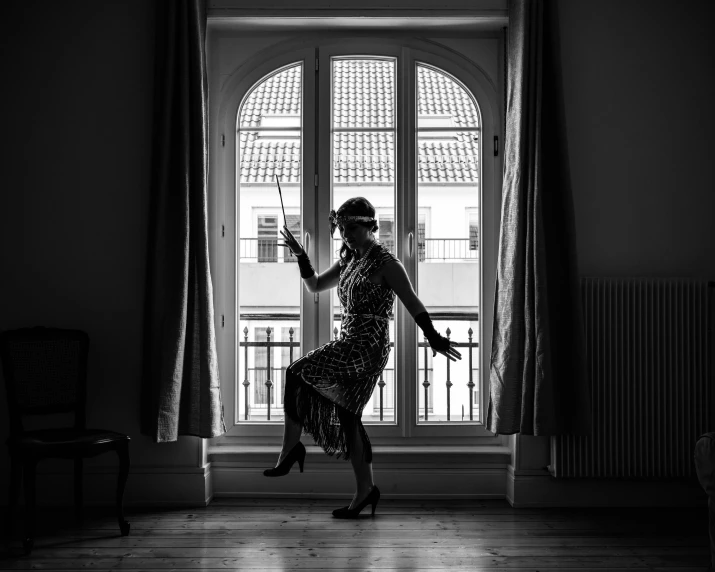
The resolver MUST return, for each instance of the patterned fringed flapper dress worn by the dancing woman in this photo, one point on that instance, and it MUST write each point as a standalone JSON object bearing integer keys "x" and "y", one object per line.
{"x": 335, "y": 381}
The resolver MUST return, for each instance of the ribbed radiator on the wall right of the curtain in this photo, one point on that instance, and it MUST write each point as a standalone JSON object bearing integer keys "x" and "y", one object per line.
{"x": 649, "y": 345}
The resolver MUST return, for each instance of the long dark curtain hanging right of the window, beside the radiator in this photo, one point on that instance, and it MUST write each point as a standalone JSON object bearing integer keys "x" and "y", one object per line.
{"x": 538, "y": 375}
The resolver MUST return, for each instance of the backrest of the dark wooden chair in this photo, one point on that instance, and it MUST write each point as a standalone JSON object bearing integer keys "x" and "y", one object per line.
{"x": 45, "y": 372}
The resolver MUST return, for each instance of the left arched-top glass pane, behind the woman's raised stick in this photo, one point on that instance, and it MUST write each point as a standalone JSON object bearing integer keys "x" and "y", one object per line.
{"x": 269, "y": 145}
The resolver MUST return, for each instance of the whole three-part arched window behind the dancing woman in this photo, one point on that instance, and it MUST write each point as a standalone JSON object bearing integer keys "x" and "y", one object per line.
{"x": 407, "y": 129}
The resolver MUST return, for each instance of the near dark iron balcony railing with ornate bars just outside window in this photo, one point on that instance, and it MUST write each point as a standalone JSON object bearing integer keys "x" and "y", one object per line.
{"x": 267, "y": 374}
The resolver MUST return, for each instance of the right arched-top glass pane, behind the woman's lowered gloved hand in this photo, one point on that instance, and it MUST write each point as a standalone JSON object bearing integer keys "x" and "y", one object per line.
{"x": 448, "y": 187}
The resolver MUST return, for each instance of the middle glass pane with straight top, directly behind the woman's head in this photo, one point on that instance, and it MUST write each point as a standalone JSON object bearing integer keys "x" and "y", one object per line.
{"x": 364, "y": 165}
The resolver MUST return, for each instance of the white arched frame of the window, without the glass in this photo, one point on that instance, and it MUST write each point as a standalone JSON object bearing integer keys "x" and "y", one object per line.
{"x": 223, "y": 223}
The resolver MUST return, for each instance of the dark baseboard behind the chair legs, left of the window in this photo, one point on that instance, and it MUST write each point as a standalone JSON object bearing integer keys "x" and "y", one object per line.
{"x": 146, "y": 486}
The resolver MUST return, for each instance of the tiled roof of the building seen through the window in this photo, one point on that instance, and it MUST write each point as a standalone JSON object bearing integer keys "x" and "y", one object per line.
{"x": 363, "y": 98}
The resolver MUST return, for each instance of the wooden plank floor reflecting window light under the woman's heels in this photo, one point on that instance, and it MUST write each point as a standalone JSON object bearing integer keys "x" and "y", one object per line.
{"x": 268, "y": 535}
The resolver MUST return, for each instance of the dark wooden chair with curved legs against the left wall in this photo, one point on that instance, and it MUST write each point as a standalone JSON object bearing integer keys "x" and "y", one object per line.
{"x": 45, "y": 372}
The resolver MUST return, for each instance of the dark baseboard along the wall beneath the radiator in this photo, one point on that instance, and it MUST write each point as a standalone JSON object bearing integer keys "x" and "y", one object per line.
{"x": 526, "y": 489}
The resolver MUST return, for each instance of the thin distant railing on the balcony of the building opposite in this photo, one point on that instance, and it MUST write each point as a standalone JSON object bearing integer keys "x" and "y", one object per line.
{"x": 267, "y": 249}
